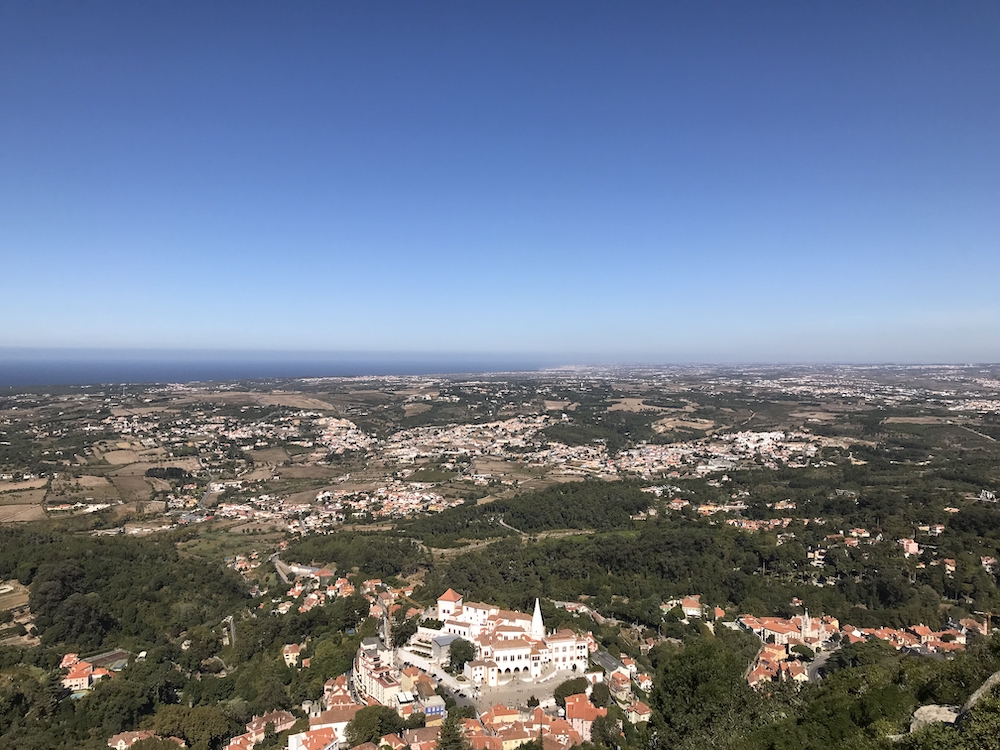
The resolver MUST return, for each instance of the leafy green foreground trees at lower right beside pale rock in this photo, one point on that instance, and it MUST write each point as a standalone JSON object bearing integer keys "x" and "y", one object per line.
{"x": 701, "y": 700}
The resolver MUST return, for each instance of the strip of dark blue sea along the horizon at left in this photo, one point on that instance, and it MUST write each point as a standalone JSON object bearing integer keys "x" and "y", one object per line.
{"x": 41, "y": 367}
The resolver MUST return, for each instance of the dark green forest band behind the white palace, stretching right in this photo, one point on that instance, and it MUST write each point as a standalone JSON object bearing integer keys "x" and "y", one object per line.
{"x": 629, "y": 574}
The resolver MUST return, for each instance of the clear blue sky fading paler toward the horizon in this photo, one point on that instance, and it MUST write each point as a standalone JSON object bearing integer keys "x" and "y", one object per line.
{"x": 606, "y": 181}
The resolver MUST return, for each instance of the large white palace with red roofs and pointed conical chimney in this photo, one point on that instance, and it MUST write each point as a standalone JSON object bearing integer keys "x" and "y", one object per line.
{"x": 510, "y": 644}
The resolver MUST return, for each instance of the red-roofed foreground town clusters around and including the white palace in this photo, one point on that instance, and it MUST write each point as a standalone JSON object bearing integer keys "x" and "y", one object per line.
{"x": 514, "y": 659}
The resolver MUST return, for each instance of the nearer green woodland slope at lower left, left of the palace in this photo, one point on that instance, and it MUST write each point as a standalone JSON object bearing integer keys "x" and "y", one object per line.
{"x": 202, "y": 693}
